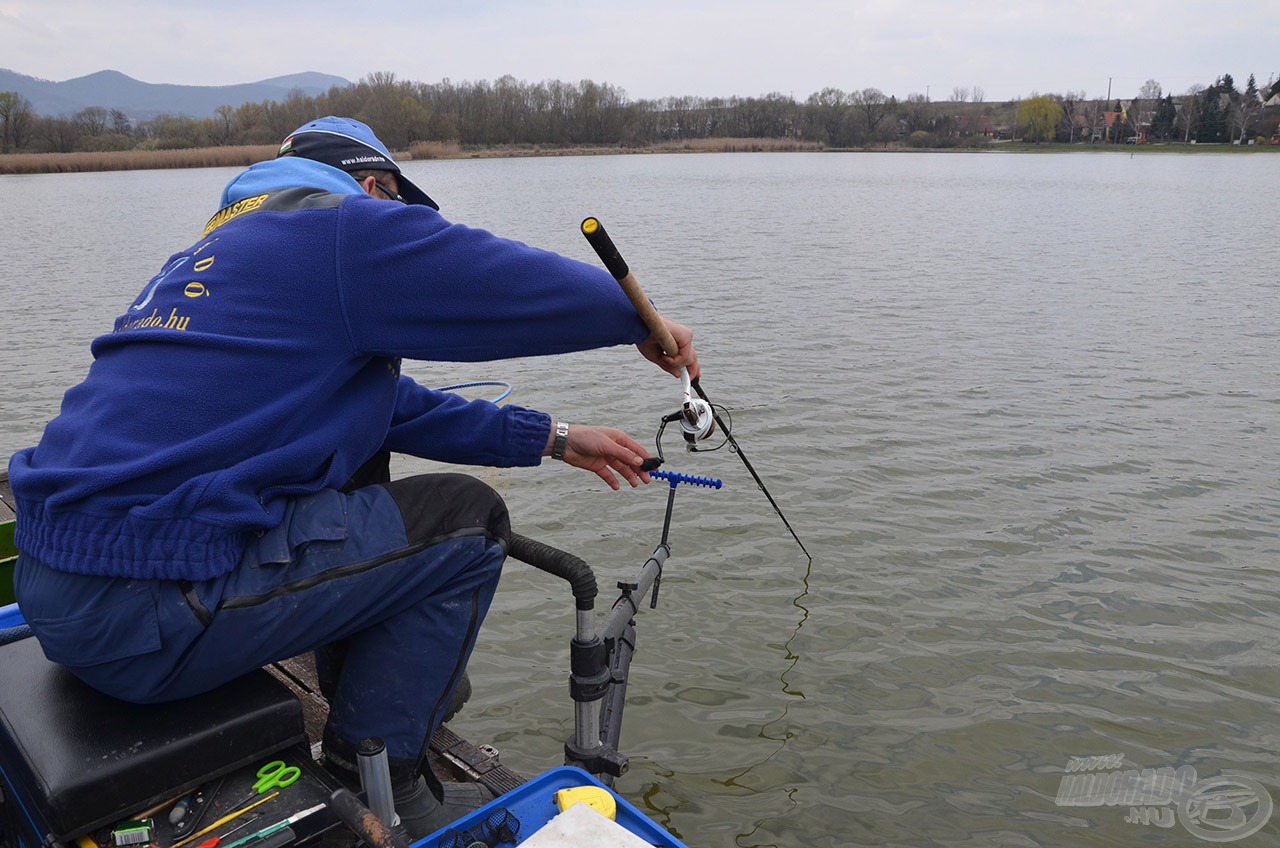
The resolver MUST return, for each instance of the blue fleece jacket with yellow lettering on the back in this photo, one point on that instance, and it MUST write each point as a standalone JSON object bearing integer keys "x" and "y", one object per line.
{"x": 263, "y": 363}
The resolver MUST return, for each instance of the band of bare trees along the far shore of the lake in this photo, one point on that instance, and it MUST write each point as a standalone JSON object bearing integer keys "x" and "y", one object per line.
{"x": 514, "y": 113}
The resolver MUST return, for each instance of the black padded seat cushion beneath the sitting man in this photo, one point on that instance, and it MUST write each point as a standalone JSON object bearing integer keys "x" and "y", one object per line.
{"x": 83, "y": 760}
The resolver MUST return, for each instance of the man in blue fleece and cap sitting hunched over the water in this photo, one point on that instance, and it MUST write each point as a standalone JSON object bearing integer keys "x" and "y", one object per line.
{"x": 185, "y": 519}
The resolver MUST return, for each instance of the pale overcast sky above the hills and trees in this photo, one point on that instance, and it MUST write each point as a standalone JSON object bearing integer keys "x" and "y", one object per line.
{"x": 660, "y": 48}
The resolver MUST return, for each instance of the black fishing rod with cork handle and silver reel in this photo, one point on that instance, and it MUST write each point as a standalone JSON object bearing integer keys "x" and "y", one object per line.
{"x": 698, "y": 417}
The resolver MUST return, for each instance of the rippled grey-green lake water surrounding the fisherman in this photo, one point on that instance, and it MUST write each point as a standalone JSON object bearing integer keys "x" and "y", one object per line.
{"x": 1023, "y": 411}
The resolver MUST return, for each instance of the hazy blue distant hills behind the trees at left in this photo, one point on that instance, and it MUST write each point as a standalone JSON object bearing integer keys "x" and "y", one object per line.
{"x": 143, "y": 101}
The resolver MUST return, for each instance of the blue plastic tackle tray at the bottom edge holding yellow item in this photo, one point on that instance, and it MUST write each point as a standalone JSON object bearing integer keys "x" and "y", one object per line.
{"x": 534, "y": 805}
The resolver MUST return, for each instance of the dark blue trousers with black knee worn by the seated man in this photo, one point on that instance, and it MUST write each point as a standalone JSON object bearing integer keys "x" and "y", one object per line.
{"x": 391, "y": 580}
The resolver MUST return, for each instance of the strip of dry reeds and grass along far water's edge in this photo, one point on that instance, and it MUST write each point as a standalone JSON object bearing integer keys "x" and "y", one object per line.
{"x": 17, "y": 165}
